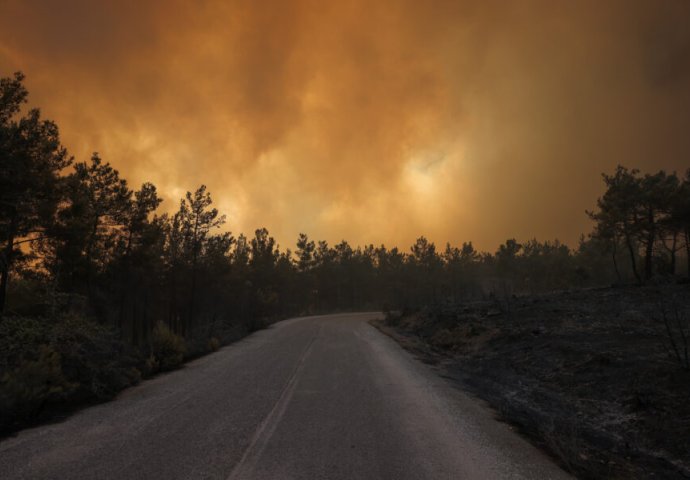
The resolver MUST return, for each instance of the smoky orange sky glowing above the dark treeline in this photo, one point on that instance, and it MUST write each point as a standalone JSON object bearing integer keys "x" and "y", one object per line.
{"x": 371, "y": 121}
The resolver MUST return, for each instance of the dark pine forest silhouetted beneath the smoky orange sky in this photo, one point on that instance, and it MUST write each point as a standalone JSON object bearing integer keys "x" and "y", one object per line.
{"x": 99, "y": 287}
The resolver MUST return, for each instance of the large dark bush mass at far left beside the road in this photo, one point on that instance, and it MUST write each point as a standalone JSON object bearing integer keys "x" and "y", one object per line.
{"x": 61, "y": 360}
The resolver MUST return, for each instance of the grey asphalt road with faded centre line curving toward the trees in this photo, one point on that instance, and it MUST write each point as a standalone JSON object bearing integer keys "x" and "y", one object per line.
{"x": 310, "y": 398}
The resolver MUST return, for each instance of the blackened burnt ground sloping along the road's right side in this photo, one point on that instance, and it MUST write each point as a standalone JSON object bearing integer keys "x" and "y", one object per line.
{"x": 589, "y": 375}
